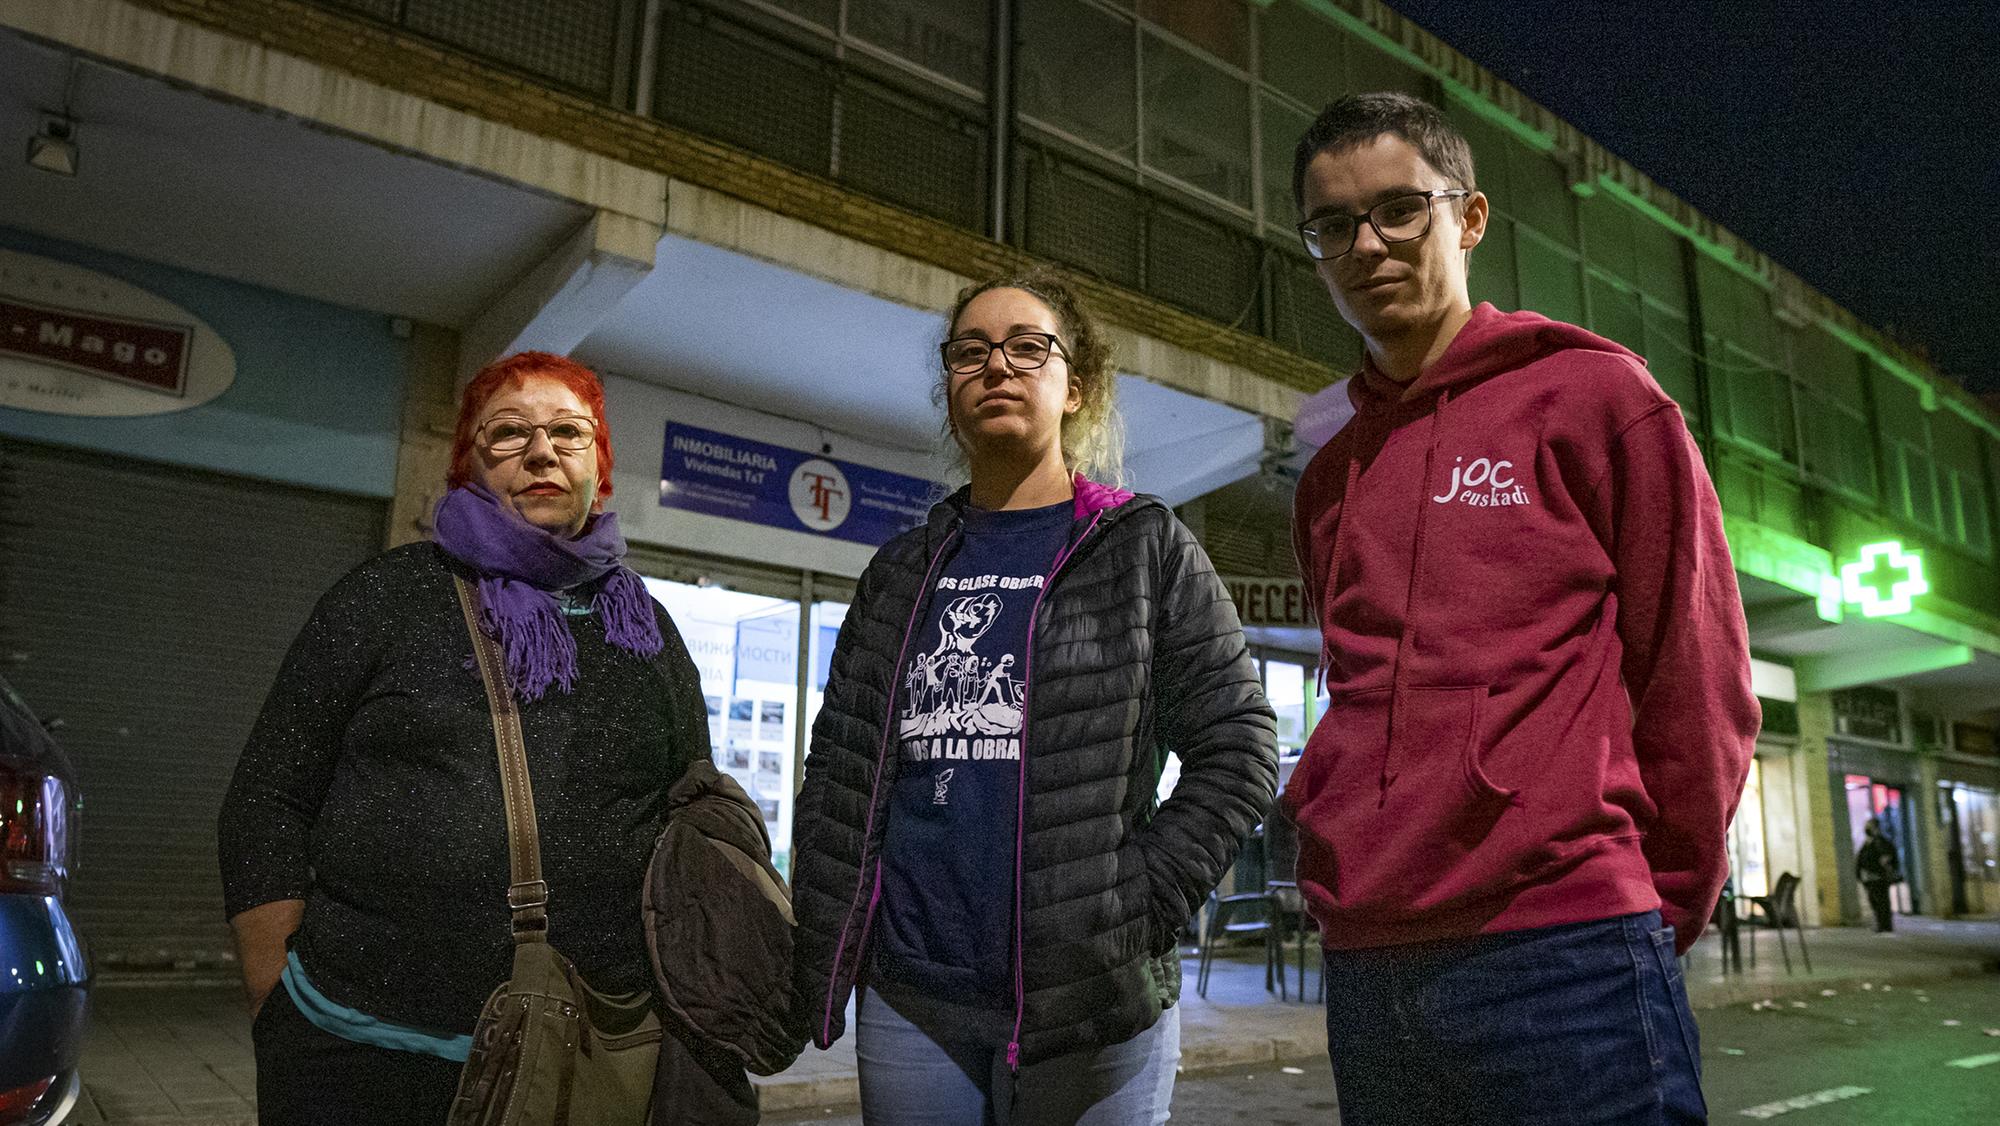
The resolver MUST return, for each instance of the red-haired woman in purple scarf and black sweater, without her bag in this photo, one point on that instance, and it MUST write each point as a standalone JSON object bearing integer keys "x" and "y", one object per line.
{"x": 365, "y": 849}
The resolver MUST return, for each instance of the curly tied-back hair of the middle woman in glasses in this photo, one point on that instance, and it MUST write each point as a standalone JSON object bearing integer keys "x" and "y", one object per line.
{"x": 1093, "y": 435}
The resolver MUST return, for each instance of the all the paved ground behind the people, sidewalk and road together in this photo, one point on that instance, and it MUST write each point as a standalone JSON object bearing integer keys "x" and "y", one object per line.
{"x": 177, "y": 1053}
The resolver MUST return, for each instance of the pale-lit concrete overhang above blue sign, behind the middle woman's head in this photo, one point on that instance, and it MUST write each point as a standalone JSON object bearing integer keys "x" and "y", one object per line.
{"x": 769, "y": 313}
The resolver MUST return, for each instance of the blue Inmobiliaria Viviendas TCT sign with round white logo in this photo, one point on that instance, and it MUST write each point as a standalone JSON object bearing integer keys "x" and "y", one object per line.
{"x": 743, "y": 479}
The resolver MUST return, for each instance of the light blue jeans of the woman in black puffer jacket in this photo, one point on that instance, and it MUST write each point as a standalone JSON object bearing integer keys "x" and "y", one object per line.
{"x": 929, "y": 1073}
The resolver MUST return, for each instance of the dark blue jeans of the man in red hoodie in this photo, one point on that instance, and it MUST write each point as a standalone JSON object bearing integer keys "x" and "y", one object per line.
{"x": 1557, "y": 1027}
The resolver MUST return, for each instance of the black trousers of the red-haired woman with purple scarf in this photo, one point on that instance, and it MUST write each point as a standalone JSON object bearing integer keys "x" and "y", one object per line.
{"x": 307, "y": 1077}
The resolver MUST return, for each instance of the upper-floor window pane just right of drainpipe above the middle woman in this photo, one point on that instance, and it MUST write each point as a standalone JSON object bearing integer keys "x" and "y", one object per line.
{"x": 1077, "y": 73}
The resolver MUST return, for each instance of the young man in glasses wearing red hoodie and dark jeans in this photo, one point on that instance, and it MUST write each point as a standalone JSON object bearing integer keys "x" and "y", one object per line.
{"x": 1513, "y": 815}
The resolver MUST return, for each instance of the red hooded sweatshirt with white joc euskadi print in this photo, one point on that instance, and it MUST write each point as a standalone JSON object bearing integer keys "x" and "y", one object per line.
{"x": 1535, "y": 649}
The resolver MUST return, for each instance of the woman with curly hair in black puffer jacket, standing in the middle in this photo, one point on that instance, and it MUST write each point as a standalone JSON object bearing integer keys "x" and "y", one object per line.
{"x": 979, "y": 839}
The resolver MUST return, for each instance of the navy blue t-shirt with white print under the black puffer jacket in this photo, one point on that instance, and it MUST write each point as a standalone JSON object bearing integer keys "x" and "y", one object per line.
{"x": 947, "y": 909}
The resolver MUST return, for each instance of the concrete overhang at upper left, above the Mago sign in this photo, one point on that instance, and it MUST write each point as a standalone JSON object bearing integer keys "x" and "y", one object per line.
{"x": 223, "y": 157}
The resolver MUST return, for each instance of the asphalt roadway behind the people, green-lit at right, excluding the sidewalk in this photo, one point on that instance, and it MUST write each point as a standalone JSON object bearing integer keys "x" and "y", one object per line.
{"x": 1865, "y": 1057}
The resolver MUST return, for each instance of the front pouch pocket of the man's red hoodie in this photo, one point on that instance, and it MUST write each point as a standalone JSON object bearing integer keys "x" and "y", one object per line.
{"x": 1397, "y": 813}
